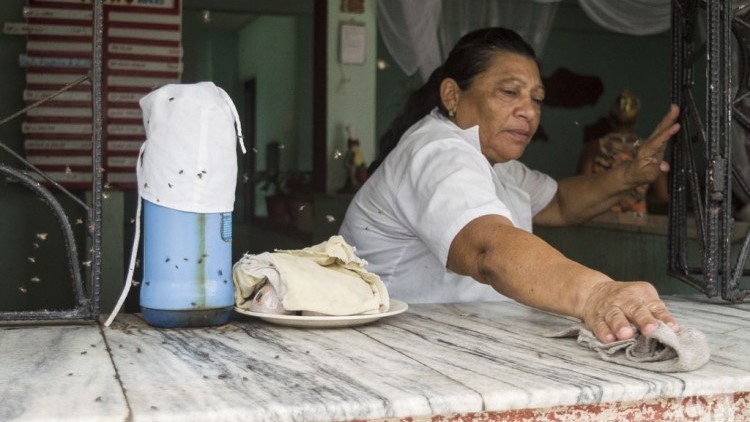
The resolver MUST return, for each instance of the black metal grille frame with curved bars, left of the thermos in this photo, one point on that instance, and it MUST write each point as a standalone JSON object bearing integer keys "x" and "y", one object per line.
{"x": 87, "y": 299}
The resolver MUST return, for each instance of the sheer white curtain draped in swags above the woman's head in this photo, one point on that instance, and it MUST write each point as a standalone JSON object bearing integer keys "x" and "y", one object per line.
{"x": 419, "y": 33}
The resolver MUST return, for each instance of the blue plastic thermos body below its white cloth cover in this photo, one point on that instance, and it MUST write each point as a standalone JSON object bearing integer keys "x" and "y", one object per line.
{"x": 187, "y": 268}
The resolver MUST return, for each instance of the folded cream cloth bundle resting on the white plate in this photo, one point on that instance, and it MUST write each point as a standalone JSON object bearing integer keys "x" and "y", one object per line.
{"x": 327, "y": 278}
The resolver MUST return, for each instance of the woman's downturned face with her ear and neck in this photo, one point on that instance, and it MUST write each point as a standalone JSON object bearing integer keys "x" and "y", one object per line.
{"x": 505, "y": 102}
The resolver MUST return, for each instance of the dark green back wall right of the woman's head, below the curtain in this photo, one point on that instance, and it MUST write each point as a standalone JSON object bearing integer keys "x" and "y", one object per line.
{"x": 639, "y": 63}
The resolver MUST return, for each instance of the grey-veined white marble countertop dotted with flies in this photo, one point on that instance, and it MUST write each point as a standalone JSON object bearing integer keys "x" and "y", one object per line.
{"x": 439, "y": 359}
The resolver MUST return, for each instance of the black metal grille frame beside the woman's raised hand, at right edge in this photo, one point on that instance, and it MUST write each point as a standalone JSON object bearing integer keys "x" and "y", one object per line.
{"x": 710, "y": 198}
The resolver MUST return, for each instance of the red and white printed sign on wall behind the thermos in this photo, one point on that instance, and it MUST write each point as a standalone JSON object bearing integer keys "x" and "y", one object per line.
{"x": 142, "y": 50}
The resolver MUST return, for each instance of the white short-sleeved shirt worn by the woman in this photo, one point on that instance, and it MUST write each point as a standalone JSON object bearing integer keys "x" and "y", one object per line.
{"x": 403, "y": 219}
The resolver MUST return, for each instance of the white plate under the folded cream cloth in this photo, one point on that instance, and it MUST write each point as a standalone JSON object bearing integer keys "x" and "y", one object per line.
{"x": 396, "y": 308}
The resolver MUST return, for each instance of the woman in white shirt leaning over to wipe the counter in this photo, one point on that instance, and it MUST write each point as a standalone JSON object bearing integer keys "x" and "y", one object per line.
{"x": 447, "y": 213}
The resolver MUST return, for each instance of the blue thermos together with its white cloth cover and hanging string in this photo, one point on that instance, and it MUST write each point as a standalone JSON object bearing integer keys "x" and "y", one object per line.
{"x": 187, "y": 174}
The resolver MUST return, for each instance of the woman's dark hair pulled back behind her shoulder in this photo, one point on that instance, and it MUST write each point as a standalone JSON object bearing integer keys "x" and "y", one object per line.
{"x": 468, "y": 58}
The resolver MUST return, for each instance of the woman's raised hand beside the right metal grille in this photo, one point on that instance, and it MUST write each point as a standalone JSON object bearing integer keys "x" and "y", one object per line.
{"x": 649, "y": 163}
